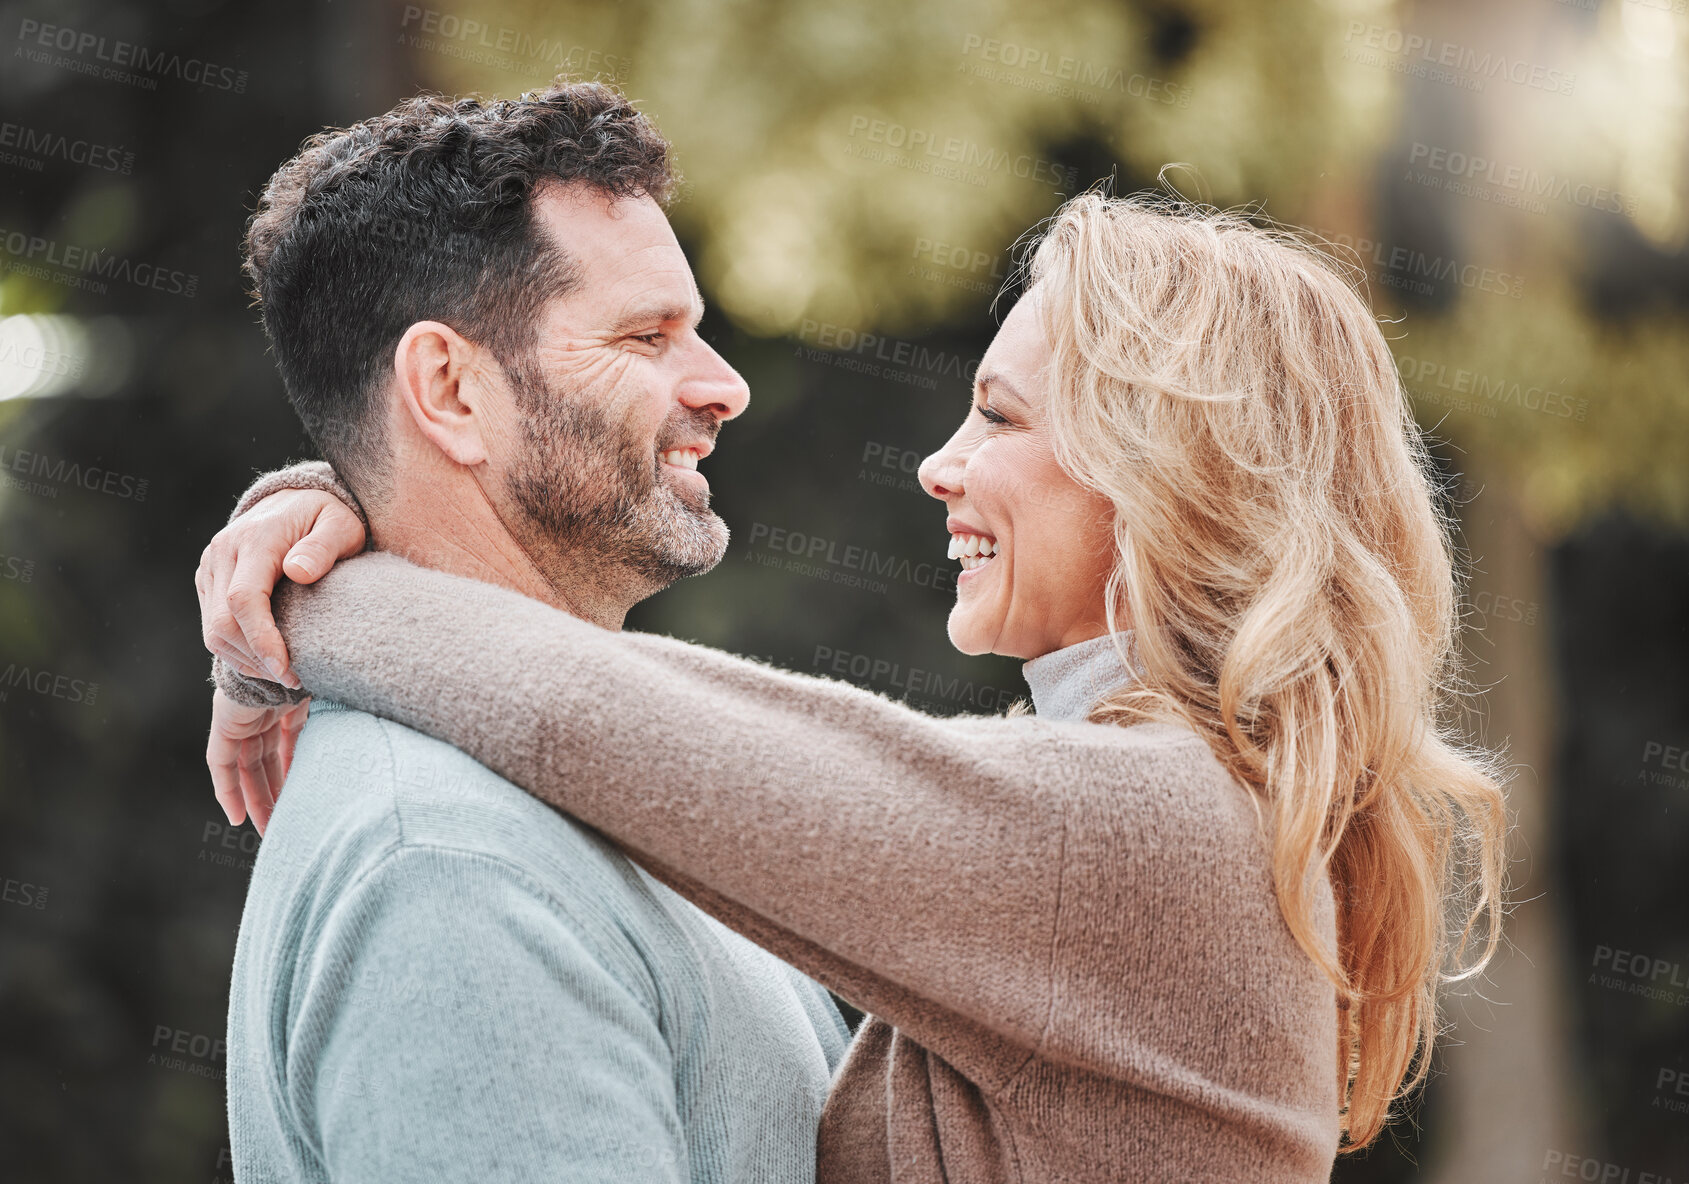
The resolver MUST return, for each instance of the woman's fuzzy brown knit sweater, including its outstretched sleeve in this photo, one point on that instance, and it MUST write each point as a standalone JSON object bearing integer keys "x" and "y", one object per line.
{"x": 1067, "y": 933}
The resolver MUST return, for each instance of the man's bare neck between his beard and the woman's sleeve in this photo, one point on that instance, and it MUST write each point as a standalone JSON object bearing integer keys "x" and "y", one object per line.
{"x": 479, "y": 550}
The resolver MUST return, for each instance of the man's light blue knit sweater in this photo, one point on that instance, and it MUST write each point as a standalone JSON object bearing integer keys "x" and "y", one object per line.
{"x": 440, "y": 979}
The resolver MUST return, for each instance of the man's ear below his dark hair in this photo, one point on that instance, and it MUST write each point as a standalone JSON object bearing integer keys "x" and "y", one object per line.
{"x": 443, "y": 384}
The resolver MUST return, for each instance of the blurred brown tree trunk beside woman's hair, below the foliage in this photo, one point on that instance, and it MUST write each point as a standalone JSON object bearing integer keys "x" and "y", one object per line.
{"x": 1506, "y": 1089}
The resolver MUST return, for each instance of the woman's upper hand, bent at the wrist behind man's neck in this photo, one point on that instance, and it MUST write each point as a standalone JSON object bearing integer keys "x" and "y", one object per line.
{"x": 295, "y": 533}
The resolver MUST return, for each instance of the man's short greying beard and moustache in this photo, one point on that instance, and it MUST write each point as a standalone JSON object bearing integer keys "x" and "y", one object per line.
{"x": 585, "y": 489}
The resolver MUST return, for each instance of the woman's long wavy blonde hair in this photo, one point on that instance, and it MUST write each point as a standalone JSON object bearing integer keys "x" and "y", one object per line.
{"x": 1293, "y": 590}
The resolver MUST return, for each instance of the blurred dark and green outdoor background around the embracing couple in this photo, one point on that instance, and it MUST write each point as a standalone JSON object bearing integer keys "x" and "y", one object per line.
{"x": 1512, "y": 177}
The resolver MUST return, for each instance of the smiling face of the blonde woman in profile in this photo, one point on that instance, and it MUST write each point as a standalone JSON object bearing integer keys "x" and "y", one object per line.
{"x": 1035, "y": 546}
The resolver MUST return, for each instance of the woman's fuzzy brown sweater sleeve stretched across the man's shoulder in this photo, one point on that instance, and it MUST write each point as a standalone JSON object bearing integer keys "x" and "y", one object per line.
{"x": 911, "y": 864}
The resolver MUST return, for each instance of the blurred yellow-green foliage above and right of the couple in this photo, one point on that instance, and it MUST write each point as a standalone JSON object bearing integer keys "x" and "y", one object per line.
{"x": 776, "y": 111}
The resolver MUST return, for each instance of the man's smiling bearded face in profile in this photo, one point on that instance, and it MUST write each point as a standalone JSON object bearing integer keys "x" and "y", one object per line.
{"x": 617, "y": 403}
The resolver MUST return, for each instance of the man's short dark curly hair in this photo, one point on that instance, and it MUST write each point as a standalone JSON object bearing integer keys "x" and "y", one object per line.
{"x": 425, "y": 214}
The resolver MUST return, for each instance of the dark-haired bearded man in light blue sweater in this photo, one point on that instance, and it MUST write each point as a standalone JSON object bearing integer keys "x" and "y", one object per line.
{"x": 491, "y": 330}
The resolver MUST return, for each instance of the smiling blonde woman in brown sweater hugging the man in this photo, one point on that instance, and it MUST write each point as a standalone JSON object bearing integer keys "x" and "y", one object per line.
{"x": 1185, "y": 923}
